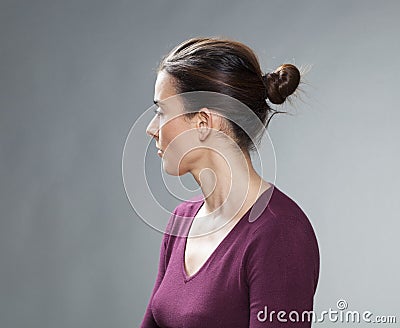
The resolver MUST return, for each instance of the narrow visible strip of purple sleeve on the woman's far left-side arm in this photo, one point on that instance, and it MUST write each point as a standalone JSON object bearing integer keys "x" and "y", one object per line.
{"x": 148, "y": 319}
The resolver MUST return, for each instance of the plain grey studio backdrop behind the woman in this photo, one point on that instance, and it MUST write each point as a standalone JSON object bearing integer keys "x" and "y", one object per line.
{"x": 75, "y": 75}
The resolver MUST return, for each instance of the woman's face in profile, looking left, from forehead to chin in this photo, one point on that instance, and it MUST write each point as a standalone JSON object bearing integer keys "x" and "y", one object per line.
{"x": 175, "y": 136}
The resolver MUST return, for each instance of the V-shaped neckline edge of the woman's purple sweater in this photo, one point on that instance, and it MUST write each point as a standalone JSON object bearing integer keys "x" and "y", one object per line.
{"x": 187, "y": 277}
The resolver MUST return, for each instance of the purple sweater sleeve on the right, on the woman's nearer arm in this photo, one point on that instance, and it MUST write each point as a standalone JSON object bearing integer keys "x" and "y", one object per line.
{"x": 282, "y": 270}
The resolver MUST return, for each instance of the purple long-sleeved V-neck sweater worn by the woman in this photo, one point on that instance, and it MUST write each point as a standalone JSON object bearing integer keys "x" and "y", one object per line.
{"x": 261, "y": 266}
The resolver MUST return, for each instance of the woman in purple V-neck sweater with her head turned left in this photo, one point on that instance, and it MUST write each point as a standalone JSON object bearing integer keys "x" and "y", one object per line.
{"x": 218, "y": 267}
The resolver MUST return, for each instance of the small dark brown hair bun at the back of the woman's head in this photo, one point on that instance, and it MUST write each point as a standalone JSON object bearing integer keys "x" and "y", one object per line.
{"x": 281, "y": 83}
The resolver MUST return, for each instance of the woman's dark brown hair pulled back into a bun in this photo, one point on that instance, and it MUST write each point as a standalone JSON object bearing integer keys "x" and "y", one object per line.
{"x": 229, "y": 67}
